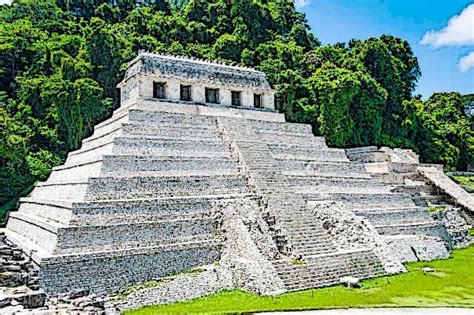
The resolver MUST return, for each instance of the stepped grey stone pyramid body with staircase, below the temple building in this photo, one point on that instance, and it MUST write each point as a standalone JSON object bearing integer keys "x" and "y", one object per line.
{"x": 144, "y": 196}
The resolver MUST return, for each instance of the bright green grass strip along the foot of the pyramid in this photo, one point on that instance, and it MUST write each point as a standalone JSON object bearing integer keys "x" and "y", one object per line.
{"x": 452, "y": 284}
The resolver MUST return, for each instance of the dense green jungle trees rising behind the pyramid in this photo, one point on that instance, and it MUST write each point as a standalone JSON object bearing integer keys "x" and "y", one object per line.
{"x": 60, "y": 61}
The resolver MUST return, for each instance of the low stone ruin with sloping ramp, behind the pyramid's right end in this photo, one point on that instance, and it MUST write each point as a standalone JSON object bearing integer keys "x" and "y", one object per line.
{"x": 429, "y": 186}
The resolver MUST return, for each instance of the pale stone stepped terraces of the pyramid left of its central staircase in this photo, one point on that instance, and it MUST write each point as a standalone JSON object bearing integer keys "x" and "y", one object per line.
{"x": 137, "y": 201}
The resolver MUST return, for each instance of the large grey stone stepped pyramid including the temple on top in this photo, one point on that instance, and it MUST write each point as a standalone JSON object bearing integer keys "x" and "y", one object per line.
{"x": 197, "y": 171}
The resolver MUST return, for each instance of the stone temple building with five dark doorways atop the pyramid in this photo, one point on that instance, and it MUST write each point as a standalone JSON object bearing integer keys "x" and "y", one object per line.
{"x": 153, "y": 76}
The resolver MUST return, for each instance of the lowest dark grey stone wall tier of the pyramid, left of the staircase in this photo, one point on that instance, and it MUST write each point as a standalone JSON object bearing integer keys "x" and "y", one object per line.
{"x": 103, "y": 272}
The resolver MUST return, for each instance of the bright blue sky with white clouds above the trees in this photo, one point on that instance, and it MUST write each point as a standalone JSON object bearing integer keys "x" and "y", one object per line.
{"x": 440, "y": 53}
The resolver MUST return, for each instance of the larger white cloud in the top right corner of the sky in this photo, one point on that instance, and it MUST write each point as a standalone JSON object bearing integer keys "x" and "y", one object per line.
{"x": 458, "y": 32}
